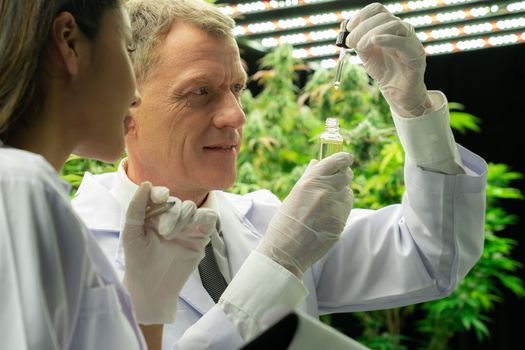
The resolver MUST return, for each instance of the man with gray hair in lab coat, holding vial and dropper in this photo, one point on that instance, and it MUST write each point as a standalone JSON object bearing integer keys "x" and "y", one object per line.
{"x": 186, "y": 134}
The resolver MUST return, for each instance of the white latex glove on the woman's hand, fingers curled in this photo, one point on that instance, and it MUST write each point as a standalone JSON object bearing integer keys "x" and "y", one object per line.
{"x": 156, "y": 267}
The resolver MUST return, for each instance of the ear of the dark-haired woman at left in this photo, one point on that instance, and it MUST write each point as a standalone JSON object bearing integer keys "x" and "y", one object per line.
{"x": 67, "y": 40}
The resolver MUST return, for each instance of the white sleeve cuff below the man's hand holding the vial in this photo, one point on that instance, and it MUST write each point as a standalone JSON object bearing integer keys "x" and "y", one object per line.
{"x": 259, "y": 285}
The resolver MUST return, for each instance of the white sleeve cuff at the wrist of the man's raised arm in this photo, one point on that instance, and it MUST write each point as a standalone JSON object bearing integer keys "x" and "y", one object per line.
{"x": 428, "y": 140}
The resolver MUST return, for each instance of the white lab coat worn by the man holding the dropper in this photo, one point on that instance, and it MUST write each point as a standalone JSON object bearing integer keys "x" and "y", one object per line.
{"x": 399, "y": 255}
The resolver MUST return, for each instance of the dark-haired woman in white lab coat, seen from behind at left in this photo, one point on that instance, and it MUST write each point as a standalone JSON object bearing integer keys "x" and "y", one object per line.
{"x": 67, "y": 85}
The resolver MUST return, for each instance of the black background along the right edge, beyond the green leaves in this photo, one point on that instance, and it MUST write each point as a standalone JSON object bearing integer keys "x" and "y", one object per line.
{"x": 491, "y": 85}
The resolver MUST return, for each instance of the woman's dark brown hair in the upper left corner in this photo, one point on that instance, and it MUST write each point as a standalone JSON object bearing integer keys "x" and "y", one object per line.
{"x": 25, "y": 30}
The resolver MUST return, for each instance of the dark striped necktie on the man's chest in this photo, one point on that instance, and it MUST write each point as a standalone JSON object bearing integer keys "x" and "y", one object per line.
{"x": 211, "y": 276}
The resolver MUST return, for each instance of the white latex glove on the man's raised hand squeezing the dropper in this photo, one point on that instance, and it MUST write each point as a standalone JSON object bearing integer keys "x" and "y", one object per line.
{"x": 393, "y": 56}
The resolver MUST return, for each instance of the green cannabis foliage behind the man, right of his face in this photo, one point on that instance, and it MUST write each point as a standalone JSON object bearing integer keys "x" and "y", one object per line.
{"x": 280, "y": 137}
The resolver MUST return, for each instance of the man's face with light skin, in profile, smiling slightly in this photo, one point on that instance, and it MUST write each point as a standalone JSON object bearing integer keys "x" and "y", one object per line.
{"x": 188, "y": 129}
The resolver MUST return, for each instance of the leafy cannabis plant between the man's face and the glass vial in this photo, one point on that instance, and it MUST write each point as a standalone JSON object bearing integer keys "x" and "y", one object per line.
{"x": 277, "y": 134}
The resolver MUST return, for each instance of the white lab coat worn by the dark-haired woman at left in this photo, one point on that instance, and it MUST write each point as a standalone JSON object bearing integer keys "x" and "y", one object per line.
{"x": 58, "y": 291}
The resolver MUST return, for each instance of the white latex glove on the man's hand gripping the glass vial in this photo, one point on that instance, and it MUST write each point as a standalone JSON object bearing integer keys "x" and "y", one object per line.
{"x": 313, "y": 215}
